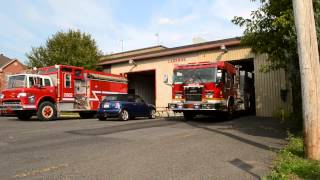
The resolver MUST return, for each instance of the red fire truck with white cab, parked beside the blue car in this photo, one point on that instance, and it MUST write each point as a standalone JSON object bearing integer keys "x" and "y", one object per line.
{"x": 60, "y": 88}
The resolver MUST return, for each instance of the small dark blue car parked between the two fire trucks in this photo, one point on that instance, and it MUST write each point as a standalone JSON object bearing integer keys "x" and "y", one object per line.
{"x": 125, "y": 106}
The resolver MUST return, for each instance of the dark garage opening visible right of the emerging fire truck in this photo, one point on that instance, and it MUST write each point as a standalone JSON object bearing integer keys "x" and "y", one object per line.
{"x": 247, "y": 82}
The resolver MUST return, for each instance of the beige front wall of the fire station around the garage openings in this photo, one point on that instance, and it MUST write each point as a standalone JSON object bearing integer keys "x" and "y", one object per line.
{"x": 165, "y": 65}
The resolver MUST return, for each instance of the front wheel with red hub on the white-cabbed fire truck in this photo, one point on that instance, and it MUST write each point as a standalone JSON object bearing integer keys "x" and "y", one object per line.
{"x": 47, "y": 111}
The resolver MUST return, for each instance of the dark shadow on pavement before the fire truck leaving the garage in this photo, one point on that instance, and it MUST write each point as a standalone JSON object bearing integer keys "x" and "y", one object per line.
{"x": 251, "y": 125}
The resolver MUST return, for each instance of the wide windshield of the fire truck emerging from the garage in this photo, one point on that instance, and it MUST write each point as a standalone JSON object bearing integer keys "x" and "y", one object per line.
{"x": 187, "y": 76}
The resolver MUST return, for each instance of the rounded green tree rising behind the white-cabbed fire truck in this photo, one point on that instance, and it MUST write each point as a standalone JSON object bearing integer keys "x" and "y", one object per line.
{"x": 69, "y": 48}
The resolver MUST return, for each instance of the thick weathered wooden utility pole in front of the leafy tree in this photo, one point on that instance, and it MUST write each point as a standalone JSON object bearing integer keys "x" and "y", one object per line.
{"x": 310, "y": 75}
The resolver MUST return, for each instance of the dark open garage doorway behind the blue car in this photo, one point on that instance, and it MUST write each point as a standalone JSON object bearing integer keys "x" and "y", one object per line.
{"x": 143, "y": 84}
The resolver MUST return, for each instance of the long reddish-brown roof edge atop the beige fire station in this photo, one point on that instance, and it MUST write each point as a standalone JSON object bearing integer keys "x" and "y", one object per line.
{"x": 170, "y": 51}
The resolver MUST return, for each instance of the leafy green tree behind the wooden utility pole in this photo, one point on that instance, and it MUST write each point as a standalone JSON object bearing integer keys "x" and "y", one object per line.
{"x": 271, "y": 30}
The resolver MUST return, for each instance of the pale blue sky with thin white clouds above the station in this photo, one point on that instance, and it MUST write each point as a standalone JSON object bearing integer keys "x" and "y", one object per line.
{"x": 118, "y": 25}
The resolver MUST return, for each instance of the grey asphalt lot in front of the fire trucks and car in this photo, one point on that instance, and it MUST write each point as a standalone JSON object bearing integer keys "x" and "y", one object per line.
{"x": 141, "y": 149}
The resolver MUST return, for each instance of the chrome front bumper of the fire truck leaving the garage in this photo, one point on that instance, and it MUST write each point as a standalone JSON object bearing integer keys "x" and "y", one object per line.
{"x": 199, "y": 106}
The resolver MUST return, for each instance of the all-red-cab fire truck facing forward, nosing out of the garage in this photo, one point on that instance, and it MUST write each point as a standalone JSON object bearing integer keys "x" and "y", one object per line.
{"x": 206, "y": 88}
